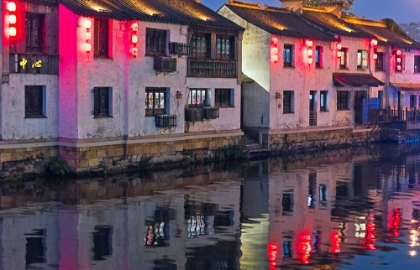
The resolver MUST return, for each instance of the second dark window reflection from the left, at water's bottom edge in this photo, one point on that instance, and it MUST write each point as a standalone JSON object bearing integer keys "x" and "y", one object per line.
{"x": 102, "y": 242}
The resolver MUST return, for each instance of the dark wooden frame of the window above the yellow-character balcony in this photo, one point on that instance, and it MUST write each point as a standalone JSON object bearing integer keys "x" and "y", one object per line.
{"x": 30, "y": 47}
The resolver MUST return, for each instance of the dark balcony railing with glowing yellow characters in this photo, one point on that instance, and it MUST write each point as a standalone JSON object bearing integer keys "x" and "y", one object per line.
{"x": 33, "y": 63}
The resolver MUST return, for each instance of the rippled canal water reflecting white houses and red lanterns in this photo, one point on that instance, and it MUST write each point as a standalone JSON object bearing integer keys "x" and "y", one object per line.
{"x": 343, "y": 209}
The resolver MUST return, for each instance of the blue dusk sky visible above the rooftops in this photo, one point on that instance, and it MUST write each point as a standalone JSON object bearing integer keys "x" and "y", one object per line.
{"x": 402, "y": 11}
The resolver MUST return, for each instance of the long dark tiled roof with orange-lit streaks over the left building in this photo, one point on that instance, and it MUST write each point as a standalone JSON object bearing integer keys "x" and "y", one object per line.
{"x": 185, "y": 12}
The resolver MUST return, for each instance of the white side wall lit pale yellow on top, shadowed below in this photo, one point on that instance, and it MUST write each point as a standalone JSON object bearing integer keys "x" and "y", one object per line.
{"x": 256, "y": 65}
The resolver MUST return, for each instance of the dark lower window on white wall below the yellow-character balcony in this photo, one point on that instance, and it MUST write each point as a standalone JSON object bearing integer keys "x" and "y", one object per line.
{"x": 34, "y": 101}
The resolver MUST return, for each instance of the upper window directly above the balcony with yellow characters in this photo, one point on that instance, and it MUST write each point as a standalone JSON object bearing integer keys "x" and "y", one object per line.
{"x": 34, "y": 32}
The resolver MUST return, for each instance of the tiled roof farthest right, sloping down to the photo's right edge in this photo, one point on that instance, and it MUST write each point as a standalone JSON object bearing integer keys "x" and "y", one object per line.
{"x": 389, "y": 37}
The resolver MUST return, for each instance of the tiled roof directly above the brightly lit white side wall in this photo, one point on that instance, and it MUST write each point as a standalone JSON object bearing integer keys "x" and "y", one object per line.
{"x": 280, "y": 22}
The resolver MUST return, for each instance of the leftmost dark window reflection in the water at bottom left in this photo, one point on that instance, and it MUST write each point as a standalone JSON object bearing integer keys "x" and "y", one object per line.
{"x": 35, "y": 249}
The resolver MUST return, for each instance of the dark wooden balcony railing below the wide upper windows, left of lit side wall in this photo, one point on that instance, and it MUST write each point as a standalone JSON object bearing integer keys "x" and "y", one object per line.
{"x": 212, "y": 68}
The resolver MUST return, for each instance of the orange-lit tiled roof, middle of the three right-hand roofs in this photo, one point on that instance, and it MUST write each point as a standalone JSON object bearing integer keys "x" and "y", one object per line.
{"x": 334, "y": 25}
